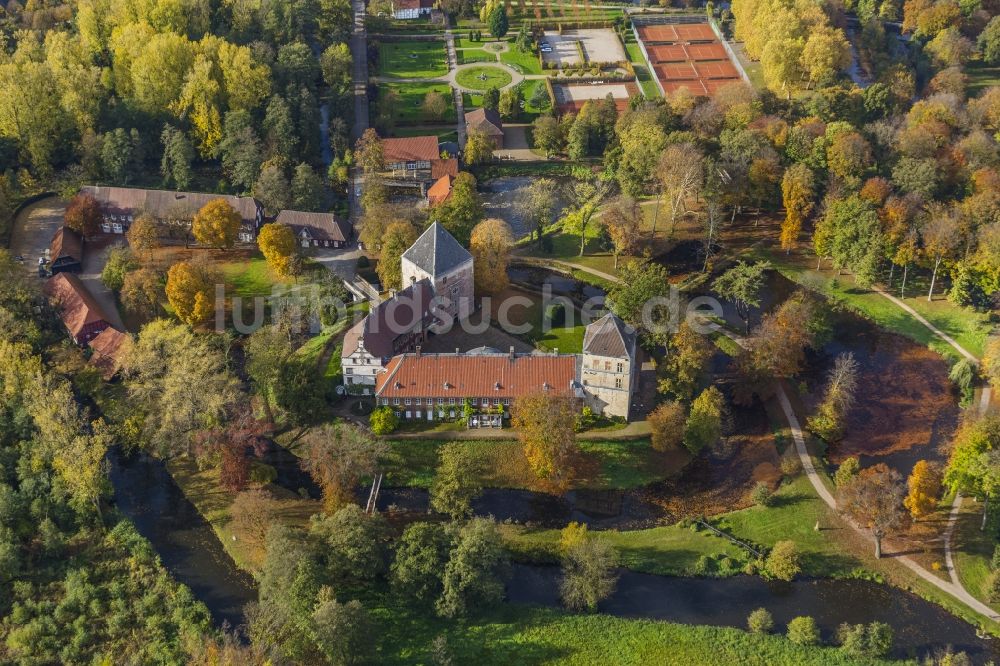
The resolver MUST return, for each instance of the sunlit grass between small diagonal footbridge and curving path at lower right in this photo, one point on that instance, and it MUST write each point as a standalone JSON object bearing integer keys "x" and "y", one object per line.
{"x": 793, "y": 516}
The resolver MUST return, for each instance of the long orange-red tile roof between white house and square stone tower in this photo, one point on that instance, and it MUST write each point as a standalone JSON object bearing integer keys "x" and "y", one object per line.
{"x": 486, "y": 376}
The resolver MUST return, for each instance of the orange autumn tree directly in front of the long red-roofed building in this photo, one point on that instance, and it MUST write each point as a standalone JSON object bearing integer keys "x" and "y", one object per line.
{"x": 545, "y": 426}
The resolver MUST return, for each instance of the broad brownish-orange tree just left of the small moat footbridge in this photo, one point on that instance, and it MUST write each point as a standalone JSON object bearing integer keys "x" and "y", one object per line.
{"x": 337, "y": 457}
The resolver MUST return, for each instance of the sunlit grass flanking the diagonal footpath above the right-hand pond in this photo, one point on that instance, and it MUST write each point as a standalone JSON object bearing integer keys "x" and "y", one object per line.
{"x": 967, "y": 327}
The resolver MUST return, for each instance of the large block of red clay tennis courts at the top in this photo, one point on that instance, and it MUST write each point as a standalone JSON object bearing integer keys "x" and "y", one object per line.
{"x": 687, "y": 55}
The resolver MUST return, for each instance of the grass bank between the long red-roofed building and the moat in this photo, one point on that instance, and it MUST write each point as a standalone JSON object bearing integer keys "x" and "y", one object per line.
{"x": 605, "y": 464}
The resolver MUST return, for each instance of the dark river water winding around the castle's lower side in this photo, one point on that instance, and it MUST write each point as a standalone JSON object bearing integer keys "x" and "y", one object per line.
{"x": 189, "y": 549}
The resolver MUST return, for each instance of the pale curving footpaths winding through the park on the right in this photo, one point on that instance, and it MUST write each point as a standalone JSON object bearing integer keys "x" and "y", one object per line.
{"x": 953, "y": 588}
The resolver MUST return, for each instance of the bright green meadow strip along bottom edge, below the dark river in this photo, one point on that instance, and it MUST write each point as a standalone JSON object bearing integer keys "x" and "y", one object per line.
{"x": 514, "y": 634}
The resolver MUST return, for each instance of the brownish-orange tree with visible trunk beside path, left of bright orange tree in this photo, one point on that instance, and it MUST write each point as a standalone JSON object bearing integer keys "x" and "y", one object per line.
{"x": 874, "y": 498}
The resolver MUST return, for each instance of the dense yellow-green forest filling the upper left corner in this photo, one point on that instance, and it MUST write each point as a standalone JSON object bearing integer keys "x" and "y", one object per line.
{"x": 172, "y": 94}
